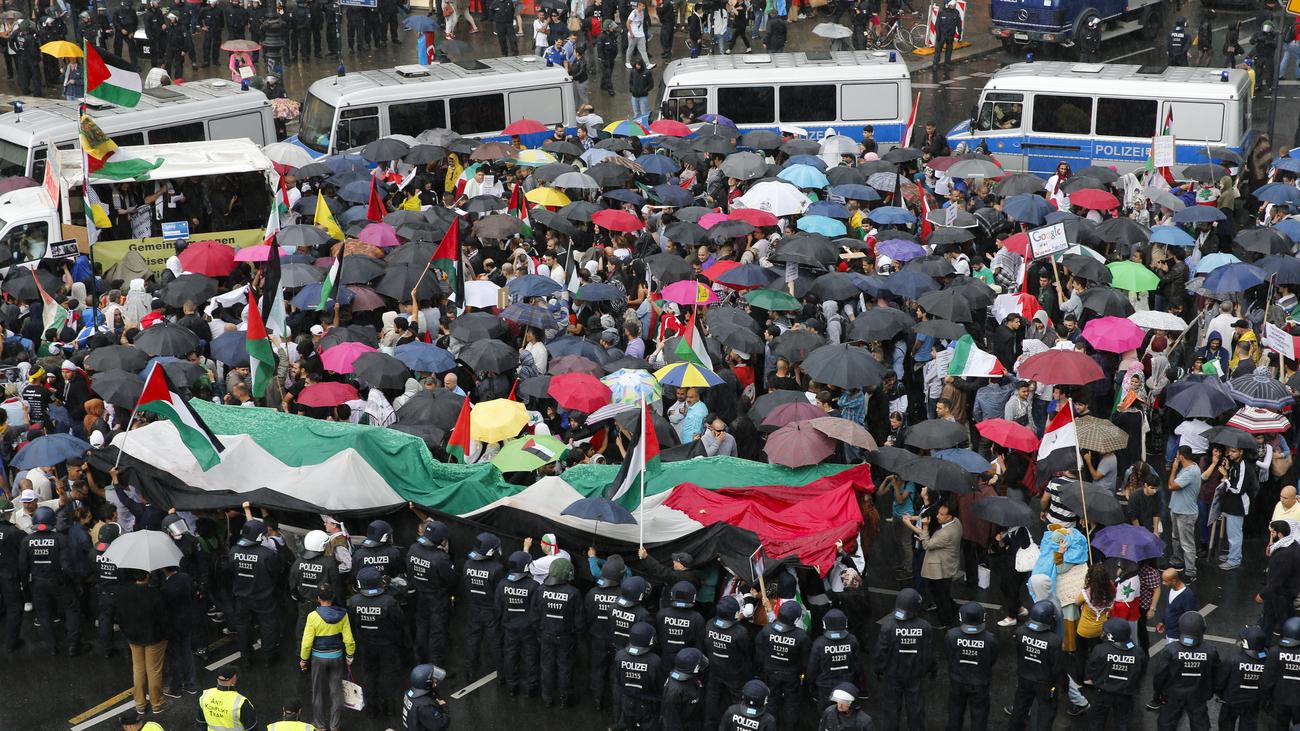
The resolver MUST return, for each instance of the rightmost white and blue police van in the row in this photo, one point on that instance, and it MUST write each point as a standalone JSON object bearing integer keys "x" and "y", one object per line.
{"x": 1033, "y": 116}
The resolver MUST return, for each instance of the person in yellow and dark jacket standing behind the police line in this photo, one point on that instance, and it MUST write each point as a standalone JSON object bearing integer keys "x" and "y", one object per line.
{"x": 328, "y": 643}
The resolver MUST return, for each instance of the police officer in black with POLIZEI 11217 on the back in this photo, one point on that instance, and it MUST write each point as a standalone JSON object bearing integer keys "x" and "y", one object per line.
{"x": 560, "y": 612}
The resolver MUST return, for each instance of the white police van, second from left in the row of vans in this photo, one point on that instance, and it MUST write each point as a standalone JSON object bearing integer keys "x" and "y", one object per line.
{"x": 474, "y": 98}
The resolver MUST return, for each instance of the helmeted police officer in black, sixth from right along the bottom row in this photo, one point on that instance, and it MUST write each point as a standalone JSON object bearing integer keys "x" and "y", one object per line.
{"x": 972, "y": 654}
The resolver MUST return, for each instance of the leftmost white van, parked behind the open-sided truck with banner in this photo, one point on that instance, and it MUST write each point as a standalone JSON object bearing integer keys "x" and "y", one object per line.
{"x": 196, "y": 111}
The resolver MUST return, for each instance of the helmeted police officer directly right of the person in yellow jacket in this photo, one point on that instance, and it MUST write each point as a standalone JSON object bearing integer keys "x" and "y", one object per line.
{"x": 379, "y": 625}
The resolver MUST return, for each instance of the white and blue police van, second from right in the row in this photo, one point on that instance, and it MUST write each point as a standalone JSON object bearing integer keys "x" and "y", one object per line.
{"x": 817, "y": 92}
